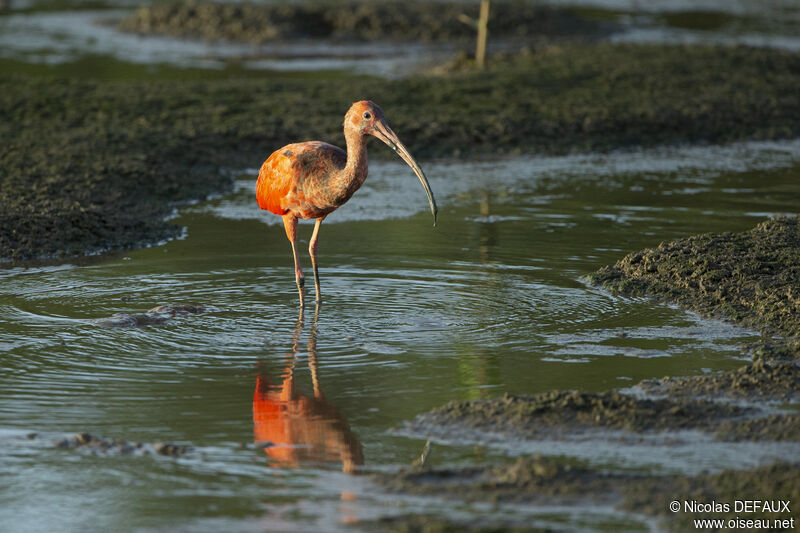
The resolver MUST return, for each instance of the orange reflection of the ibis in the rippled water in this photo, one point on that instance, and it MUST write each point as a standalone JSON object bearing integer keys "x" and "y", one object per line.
{"x": 296, "y": 428}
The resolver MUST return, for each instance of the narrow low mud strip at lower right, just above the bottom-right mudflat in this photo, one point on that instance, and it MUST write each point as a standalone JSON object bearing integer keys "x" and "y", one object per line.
{"x": 562, "y": 414}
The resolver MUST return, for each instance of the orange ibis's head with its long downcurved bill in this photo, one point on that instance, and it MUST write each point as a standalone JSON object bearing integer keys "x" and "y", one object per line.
{"x": 367, "y": 118}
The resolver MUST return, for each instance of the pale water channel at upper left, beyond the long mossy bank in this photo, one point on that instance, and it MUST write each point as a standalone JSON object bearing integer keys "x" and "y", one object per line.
{"x": 89, "y": 40}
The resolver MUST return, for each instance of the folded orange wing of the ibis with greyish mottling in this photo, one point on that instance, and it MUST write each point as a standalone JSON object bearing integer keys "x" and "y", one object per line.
{"x": 283, "y": 175}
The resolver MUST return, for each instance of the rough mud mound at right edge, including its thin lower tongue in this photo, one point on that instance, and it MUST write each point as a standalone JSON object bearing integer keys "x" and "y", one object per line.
{"x": 752, "y": 278}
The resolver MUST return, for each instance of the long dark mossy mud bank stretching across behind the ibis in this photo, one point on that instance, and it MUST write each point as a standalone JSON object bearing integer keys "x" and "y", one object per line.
{"x": 88, "y": 166}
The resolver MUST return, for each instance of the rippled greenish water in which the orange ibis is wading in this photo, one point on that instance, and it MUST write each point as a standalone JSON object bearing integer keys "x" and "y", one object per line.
{"x": 491, "y": 301}
